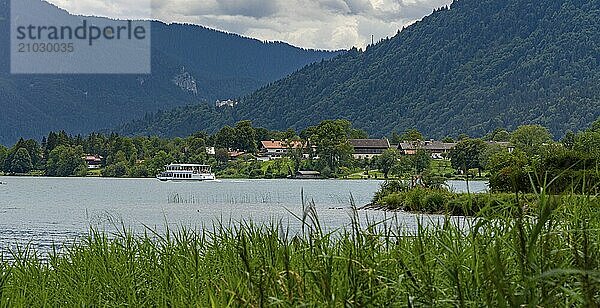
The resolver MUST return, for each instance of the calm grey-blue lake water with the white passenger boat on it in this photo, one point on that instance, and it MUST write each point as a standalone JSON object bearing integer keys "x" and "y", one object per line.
{"x": 43, "y": 211}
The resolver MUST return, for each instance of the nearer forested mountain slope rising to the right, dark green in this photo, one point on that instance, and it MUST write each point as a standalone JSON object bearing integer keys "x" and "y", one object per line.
{"x": 468, "y": 68}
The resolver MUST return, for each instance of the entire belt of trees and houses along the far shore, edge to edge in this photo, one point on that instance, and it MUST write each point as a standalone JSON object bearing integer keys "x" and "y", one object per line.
{"x": 237, "y": 152}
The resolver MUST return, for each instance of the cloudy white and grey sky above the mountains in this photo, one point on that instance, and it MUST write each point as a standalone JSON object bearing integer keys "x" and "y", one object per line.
{"x": 322, "y": 24}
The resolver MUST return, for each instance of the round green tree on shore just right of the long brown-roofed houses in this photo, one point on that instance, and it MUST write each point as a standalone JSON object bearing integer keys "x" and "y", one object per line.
{"x": 467, "y": 155}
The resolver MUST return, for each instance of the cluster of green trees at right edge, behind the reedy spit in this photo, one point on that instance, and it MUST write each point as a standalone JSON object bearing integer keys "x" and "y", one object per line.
{"x": 537, "y": 161}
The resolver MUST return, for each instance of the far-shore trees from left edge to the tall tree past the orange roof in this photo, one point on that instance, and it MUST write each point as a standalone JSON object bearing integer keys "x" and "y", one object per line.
{"x": 60, "y": 154}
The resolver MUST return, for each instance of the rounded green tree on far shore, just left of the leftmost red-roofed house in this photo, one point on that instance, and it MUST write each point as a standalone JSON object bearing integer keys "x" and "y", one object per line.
{"x": 66, "y": 161}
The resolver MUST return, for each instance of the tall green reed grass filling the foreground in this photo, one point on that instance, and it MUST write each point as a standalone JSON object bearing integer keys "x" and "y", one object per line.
{"x": 550, "y": 259}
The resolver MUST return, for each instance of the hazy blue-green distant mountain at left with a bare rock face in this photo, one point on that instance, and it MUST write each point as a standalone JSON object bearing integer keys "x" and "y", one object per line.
{"x": 190, "y": 65}
